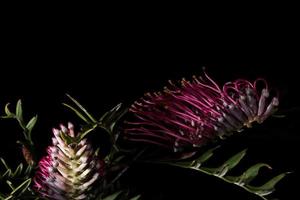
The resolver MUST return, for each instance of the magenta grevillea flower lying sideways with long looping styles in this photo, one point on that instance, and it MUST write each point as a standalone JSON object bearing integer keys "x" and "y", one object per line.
{"x": 194, "y": 112}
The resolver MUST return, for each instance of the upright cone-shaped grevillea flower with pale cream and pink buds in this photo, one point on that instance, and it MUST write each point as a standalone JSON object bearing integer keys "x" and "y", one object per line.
{"x": 69, "y": 170}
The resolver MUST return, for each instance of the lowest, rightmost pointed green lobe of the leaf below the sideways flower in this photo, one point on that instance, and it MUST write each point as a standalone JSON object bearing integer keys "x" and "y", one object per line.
{"x": 268, "y": 187}
